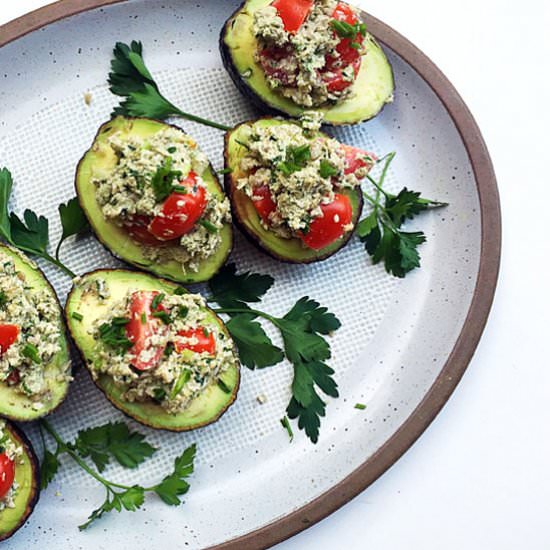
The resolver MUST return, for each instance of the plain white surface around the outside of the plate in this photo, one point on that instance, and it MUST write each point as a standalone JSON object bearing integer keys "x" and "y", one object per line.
{"x": 479, "y": 477}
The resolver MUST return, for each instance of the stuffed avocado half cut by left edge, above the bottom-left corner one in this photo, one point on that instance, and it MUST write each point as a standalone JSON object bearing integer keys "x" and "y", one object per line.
{"x": 34, "y": 354}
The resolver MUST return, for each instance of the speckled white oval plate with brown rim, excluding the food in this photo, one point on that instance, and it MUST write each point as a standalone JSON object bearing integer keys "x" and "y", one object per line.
{"x": 404, "y": 344}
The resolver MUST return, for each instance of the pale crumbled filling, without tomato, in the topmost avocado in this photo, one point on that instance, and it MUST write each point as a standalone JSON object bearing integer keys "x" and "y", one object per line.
{"x": 297, "y": 66}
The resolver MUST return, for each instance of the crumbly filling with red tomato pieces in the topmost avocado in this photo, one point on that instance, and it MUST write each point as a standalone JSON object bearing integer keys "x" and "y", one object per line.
{"x": 316, "y": 64}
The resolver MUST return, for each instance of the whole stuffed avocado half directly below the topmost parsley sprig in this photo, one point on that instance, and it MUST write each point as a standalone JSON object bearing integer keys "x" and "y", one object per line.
{"x": 154, "y": 201}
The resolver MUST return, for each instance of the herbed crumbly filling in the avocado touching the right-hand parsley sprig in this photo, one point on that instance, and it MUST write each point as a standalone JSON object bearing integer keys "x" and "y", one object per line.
{"x": 301, "y": 170}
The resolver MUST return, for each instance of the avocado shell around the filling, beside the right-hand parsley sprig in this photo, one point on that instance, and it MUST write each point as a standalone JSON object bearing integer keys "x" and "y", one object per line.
{"x": 246, "y": 217}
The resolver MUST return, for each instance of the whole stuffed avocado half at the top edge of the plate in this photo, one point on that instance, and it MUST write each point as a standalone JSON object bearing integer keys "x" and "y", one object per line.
{"x": 288, "y": 56}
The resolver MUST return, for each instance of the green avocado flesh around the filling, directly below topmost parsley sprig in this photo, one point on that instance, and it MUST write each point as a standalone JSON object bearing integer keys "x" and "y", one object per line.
{"x": 101, "y": 158}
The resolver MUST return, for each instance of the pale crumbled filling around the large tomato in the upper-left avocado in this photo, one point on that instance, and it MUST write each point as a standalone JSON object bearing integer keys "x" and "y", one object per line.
{"x": 127, "y": 191}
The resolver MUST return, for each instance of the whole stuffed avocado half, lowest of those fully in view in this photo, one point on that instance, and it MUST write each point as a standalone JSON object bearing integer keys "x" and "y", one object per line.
{"x": 158, "y": 353}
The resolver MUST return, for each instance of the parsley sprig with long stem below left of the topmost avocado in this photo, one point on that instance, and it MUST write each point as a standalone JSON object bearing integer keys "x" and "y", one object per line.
{"x": 130, "y": 78}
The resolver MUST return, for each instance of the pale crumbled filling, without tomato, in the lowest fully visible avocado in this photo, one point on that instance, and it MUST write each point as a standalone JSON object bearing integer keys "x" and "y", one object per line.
{"x": 163, "y": 382}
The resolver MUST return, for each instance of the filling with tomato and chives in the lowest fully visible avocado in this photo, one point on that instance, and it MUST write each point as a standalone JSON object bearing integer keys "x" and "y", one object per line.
{"x": 182, "y": 353}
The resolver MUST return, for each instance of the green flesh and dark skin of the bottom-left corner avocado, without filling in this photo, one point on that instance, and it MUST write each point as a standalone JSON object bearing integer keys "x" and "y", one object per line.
{"x": 27, "y": 475}
